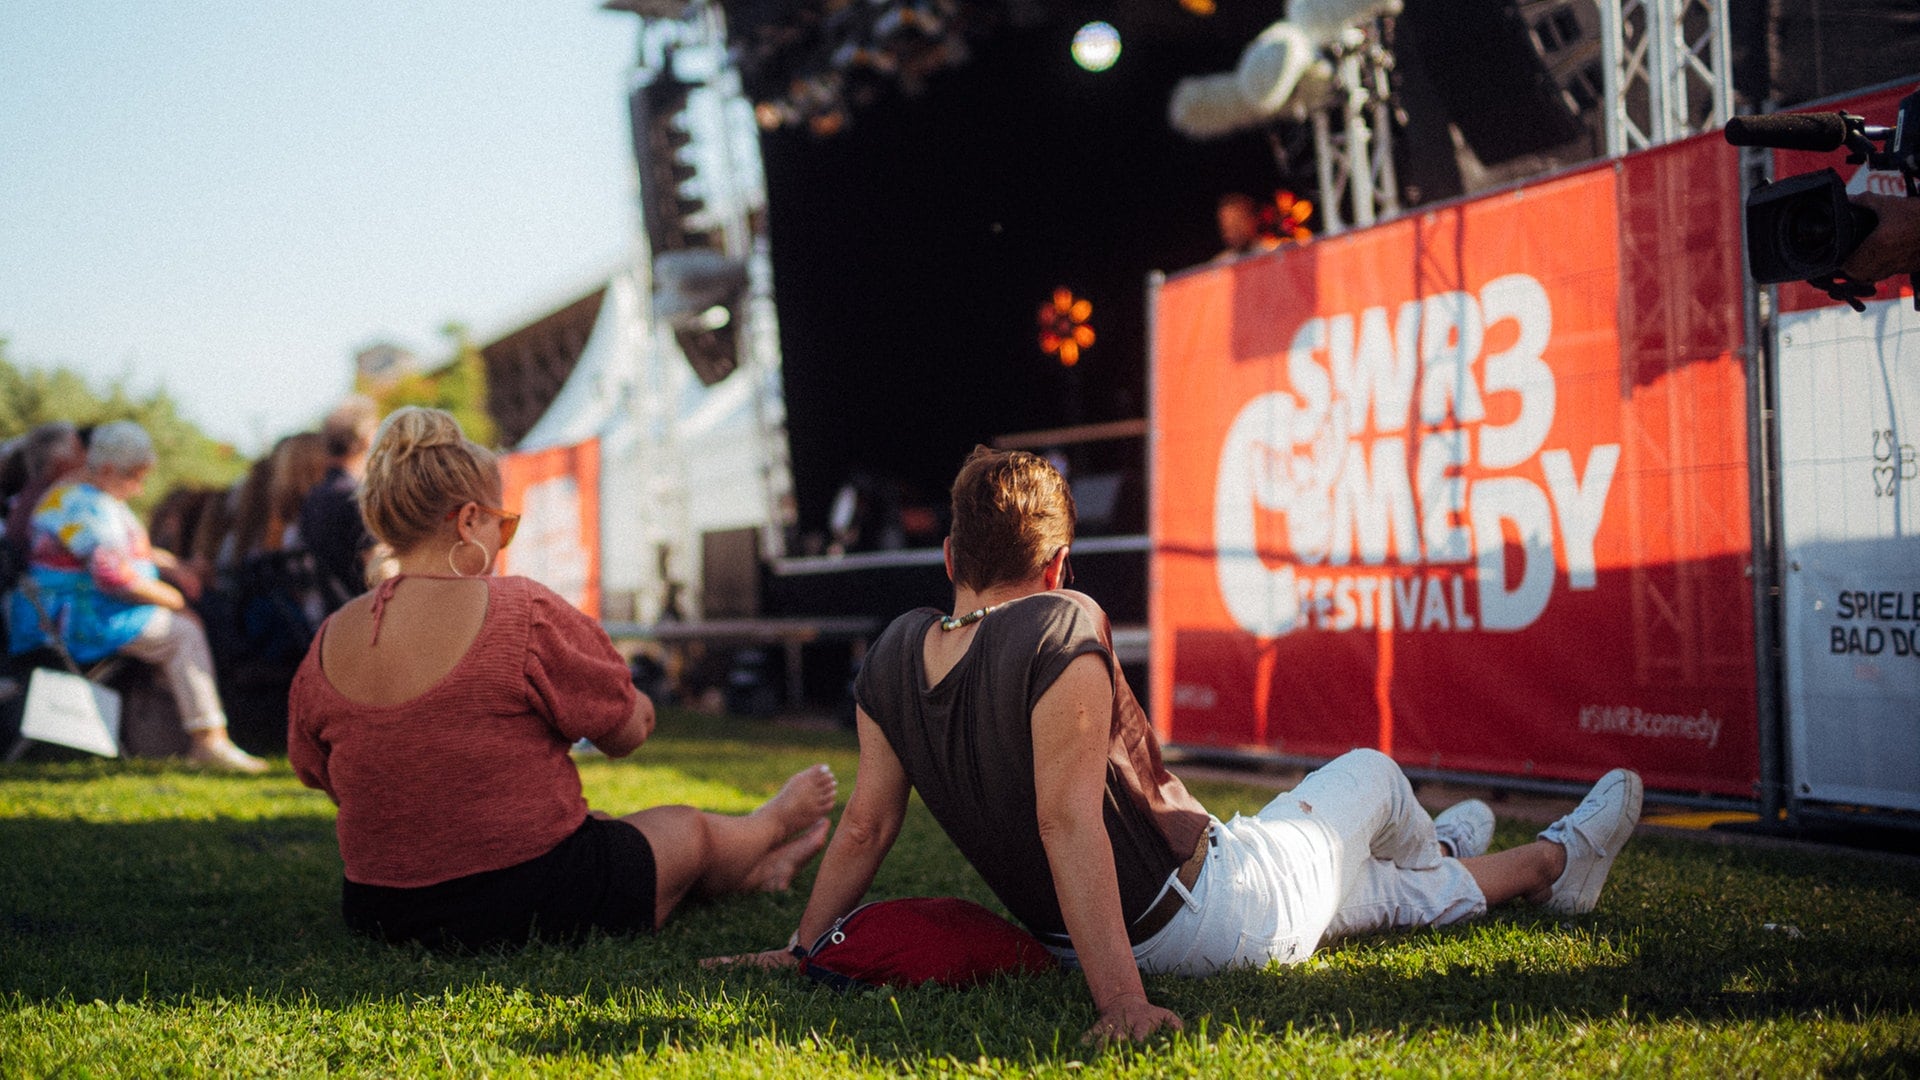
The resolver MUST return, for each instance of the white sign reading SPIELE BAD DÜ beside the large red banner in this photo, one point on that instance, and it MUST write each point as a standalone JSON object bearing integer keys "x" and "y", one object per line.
{"x": 1850, "y": 431}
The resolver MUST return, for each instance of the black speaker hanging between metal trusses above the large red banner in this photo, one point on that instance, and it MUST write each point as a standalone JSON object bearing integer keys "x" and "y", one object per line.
{"x": 1518, "y": 76}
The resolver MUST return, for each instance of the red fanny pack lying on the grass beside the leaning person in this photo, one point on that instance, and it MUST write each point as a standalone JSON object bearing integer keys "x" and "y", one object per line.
{"x": 905, "y": 943}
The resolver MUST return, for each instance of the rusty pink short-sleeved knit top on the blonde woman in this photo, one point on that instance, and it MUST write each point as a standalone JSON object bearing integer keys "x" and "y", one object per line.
{"x": 471, "y": 775}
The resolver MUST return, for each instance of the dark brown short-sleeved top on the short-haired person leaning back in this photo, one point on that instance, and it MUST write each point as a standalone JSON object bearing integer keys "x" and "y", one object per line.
{"x": 967, "y": 747}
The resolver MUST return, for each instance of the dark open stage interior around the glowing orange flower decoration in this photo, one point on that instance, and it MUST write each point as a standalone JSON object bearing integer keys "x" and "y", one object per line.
{"x": 915, "y": 249}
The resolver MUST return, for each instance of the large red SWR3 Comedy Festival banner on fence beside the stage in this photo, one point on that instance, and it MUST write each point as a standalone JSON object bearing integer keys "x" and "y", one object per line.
{"x": 1468, "y": 487}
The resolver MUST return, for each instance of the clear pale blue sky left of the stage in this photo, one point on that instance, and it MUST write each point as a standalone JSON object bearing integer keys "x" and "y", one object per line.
{"x": 231, "y": 199}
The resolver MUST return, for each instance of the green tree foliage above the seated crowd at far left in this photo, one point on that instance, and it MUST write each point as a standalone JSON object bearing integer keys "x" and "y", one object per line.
{"x": 185, "y": 454}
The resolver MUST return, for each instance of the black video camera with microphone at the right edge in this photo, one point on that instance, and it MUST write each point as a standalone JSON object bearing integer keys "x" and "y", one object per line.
{"x": 1804, "y": 228}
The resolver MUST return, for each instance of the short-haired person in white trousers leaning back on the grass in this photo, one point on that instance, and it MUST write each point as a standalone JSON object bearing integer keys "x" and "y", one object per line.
{"x": 1013, "y": 722}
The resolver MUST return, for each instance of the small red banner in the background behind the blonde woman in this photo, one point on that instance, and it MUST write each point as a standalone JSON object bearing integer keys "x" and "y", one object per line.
{"x": 558, "y": 497}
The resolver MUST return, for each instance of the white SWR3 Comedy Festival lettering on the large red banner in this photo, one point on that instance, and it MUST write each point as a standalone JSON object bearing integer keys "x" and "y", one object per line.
{"x": 1347, "y": 499}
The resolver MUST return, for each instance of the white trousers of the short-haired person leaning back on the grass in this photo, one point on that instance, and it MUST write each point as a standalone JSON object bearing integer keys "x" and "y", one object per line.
{"x": 1347, "y": 852}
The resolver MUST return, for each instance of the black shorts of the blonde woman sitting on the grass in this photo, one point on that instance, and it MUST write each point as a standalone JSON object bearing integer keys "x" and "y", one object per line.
{"x": 602, "y": 875}
